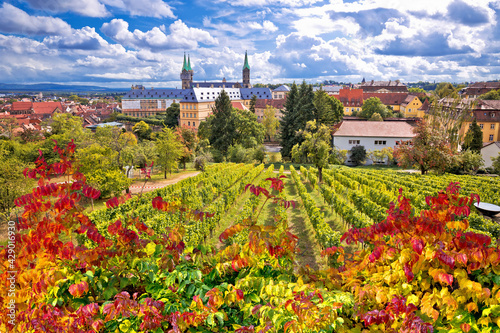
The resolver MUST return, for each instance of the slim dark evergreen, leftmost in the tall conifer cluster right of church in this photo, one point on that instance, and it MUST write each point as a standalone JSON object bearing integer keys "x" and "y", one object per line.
{"x": 287, "y": 122}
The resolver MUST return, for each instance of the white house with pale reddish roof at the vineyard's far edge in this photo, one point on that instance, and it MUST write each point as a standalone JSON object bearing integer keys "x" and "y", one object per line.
{"x": 373, "y": 135}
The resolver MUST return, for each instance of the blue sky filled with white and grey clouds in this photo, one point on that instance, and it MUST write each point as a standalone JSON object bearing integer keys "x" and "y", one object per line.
{"x": 119, "y": 43}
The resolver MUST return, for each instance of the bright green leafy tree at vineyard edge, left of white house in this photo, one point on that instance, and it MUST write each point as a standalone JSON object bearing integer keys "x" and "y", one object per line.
{"x": 316, "y": 146}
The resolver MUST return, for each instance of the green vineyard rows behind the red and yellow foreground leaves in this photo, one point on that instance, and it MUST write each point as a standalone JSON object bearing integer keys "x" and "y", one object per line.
{"x": 348, "y": 197}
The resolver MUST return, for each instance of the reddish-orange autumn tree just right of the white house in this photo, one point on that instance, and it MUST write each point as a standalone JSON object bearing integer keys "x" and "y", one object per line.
{"x": 428, "y": 150}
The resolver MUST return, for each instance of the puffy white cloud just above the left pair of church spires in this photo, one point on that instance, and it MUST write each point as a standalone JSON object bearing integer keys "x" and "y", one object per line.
{"x": 181, "y": 36}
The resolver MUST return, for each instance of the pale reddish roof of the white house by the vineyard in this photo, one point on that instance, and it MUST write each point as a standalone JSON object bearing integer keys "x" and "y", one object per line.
{"x": 375, "y": 129}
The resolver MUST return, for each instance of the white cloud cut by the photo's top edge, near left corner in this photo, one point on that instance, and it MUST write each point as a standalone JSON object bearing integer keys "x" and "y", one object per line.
{"x": 91, "y": 8}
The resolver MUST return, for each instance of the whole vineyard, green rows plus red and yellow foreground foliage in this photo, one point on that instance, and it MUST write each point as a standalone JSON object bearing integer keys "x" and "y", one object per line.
{"x": 246, "y": 248}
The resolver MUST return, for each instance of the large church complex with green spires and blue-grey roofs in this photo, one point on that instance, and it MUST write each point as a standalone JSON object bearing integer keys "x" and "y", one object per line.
{"x": 196, "y": 99}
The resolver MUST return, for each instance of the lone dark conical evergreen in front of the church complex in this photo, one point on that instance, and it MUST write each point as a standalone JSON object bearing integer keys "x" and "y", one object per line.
{"x": 222, "y": 123}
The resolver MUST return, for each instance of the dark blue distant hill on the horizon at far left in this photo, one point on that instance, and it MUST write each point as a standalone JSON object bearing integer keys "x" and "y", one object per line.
{"x": 51, "y": 87}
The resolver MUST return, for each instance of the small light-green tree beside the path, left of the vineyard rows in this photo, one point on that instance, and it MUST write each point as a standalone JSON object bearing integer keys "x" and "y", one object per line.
{"x": 169, "y": 149}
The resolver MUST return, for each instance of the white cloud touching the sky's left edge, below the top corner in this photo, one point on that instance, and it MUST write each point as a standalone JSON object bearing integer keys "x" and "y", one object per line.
{"x": 17, "y": 21}
